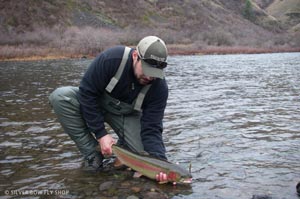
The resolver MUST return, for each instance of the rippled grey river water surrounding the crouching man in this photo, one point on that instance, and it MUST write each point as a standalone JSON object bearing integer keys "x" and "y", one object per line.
{"x": 236, "y": 118}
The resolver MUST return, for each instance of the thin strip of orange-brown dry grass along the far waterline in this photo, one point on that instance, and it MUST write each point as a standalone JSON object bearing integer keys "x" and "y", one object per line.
{"x": 34, "y": 54}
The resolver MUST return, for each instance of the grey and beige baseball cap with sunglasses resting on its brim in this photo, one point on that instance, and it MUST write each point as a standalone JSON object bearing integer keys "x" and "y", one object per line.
{"x": 153, "y": 53}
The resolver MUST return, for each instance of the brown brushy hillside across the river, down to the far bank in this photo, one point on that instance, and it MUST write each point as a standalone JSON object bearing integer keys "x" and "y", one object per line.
{"x": 87, "y": 27}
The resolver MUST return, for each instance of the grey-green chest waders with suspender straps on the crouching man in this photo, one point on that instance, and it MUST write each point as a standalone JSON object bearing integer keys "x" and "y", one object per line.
{"x": 124, "y": 118}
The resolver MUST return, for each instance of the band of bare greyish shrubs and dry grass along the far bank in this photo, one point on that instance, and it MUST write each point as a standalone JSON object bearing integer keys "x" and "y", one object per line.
{"x": 76, "y": 42}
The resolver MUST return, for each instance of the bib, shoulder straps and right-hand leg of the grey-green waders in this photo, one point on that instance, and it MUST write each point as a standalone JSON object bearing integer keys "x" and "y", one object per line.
{"x": 124, "y": 118}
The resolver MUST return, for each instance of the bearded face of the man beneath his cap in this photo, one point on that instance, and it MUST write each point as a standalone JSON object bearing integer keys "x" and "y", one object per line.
{"x": 138, "y": 71}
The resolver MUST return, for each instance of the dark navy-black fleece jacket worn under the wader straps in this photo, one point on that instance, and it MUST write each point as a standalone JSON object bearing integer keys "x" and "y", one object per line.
{"x": 93, "y": 85}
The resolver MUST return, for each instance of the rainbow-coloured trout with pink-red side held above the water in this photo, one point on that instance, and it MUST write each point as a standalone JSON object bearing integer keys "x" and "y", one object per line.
{"x": 149, "y": 166}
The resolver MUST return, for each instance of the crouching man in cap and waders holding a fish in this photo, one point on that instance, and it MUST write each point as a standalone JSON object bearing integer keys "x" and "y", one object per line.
{"x": 125, "y": 88}
